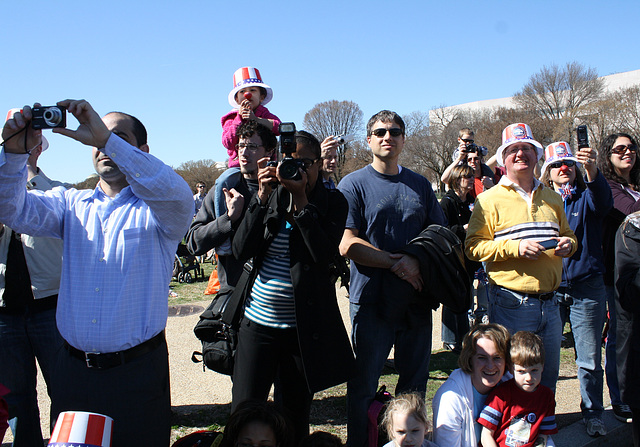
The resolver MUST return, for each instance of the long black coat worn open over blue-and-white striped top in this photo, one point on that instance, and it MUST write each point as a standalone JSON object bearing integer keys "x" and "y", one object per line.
{"x": 324, "y": 344}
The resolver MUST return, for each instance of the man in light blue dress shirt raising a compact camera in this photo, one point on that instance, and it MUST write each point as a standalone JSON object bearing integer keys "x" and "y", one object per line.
{"x": 119, "y": 242}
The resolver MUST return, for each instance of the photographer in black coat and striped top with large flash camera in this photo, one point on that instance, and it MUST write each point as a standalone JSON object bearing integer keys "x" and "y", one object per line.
{"x": 292, "y": 328}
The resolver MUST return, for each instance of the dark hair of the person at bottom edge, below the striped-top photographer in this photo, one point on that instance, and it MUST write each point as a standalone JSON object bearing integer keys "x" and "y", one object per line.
{"x": 258, "y": 411}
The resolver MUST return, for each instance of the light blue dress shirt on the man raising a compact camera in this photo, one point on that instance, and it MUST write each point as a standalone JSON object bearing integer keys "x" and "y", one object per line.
{"x": 118, "y": 253}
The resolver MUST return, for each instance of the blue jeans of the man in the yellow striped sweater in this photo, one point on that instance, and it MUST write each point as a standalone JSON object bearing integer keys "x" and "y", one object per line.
{"x": 518, "y": 312}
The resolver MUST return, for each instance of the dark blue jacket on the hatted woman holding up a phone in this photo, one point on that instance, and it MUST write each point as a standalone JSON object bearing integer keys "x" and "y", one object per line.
{"x": 585, "y": 211}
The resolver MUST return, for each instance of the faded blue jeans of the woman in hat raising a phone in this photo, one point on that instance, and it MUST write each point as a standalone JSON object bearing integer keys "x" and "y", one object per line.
{"x": 585, "y": 310}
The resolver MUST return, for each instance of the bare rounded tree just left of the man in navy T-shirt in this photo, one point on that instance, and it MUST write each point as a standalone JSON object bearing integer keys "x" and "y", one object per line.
{"x": 335, "y": 118}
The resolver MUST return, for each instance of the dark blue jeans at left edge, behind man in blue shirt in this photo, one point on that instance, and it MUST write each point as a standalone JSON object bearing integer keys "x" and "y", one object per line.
{"x": 23, "y": 338}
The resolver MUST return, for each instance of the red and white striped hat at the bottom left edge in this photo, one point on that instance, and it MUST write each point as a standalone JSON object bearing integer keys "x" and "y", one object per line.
{"x": 81, "y": 429}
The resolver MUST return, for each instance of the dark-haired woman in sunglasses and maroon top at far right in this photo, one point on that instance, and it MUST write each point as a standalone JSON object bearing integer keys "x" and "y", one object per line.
{"x": 618, "y": 161}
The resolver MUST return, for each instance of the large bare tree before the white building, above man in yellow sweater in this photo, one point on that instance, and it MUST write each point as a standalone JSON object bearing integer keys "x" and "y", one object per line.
{"x": 560, "y": 95}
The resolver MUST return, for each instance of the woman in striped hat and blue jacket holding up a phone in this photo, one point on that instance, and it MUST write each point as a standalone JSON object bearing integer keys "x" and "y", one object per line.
{"x": 581, "y": 295}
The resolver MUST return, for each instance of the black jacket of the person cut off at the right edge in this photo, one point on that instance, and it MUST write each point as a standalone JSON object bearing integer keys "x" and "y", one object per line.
{"x": 627, "y": 283}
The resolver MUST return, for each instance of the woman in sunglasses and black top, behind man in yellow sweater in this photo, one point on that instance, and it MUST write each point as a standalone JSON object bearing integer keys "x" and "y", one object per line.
{"x": 457, "y": 205}
